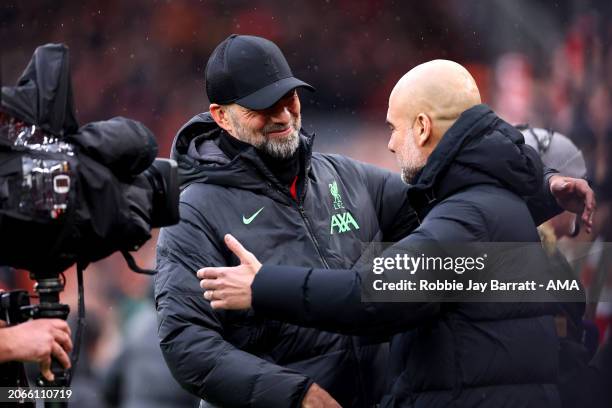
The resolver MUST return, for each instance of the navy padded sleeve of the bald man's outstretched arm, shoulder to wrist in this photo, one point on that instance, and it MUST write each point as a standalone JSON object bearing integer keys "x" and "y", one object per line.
{"x": 332, "y": 299}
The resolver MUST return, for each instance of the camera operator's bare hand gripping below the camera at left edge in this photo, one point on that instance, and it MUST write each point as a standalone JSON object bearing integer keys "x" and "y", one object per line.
{"x": 37, "y": 341}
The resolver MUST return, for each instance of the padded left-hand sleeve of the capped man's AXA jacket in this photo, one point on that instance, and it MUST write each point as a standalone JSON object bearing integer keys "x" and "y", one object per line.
{"x": 192, "y": 335}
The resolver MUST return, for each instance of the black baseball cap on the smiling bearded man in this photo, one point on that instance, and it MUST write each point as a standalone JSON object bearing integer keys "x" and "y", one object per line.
{"x": 250, "y": 71}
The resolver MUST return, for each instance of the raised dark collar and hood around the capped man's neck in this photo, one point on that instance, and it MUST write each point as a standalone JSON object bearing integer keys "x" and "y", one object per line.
{"x": 201, "y": 160}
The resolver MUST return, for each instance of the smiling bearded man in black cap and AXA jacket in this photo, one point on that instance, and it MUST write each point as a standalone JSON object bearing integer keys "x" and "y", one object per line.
{"x": 246, "y": 167}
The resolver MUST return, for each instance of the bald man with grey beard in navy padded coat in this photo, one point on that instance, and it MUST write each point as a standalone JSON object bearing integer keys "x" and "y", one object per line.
{"x": 467, "y": 171}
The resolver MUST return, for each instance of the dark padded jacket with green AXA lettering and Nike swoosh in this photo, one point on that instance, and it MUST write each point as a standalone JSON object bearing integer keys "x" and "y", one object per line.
{"x": 236, "y": 359}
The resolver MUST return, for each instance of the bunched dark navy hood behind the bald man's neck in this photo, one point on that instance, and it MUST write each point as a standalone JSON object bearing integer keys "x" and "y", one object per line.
{"x": 480, "y": 148}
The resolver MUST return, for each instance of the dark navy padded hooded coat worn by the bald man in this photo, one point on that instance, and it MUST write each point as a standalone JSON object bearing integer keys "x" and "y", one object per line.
{"x": 447, "y": 354}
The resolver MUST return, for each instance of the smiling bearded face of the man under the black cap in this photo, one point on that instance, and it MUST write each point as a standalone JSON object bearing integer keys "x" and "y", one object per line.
{"x": 274, "y": 130}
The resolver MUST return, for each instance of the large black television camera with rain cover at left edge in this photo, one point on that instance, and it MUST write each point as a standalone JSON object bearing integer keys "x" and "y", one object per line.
{"x": 68, "y": 193}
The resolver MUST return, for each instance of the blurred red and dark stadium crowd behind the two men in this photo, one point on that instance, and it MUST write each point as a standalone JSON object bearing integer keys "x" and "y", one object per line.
{"x": 546, "y": 63}
